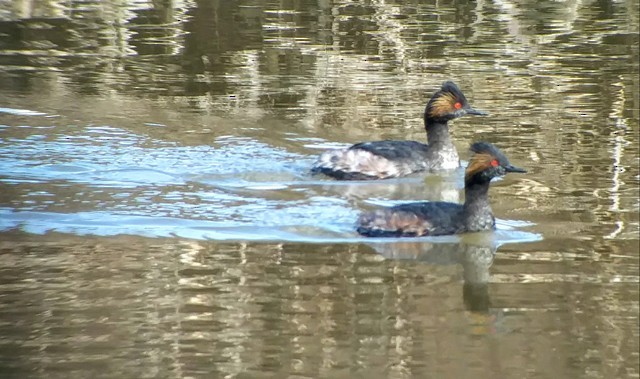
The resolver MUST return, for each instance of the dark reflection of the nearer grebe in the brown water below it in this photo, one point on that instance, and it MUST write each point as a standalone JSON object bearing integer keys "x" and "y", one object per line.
{"x": 475, "y": 253}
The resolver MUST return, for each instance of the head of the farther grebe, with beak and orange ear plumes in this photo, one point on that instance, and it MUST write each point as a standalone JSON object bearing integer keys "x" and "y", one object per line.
{"x": 449, "y": 103}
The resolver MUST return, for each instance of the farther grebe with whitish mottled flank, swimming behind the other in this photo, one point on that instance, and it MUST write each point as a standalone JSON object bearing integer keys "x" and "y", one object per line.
{"x": 390, "y": 159}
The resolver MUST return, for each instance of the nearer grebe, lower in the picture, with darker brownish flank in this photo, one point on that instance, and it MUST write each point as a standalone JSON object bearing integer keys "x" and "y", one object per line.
{"x": 440, "y": 218}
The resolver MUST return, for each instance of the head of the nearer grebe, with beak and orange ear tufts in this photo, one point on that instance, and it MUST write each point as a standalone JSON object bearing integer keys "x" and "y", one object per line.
{"x": 487, "y": 162}
